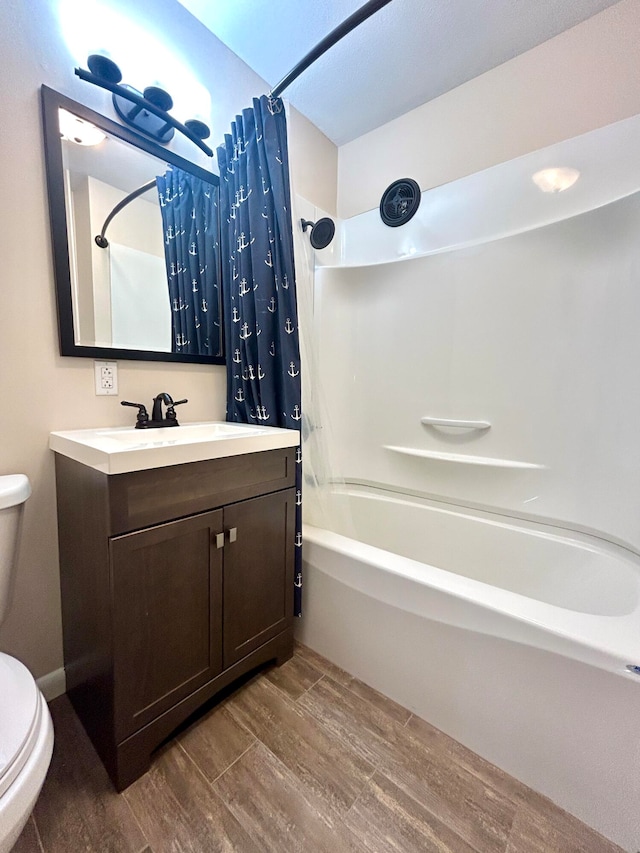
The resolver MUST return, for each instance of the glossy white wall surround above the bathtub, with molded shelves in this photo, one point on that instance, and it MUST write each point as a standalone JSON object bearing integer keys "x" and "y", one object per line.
{"x": 532, "y": 332}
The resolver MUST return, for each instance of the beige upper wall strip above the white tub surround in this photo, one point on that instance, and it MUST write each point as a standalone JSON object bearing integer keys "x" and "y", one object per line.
{"x": 582, "y": 79}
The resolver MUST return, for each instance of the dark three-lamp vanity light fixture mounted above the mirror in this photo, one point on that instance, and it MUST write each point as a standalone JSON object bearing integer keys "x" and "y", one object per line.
{"x": 147, "y": 111}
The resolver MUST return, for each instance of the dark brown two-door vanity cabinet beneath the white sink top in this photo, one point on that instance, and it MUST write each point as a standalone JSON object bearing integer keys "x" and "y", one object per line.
{"x": 175, "y": 582}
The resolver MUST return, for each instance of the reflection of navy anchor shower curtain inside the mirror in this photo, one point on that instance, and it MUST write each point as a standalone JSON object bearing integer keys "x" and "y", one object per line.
{"x": 189, "y": 208}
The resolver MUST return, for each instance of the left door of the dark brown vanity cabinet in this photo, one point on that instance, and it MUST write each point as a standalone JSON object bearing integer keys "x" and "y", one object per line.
{"x": 166, "y": 586}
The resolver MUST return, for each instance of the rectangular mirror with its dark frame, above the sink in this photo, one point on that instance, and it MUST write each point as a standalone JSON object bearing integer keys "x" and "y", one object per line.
{"x": 135, "y": 233}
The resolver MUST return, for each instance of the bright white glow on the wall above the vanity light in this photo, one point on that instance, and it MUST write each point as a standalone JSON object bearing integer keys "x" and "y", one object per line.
{"x": 94, "y": 26}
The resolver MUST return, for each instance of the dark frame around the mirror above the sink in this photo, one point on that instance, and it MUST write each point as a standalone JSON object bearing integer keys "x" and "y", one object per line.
{"x": 51, "y": 102}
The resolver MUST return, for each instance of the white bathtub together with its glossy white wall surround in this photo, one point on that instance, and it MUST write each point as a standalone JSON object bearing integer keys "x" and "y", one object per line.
{"x": 490, "y": 580}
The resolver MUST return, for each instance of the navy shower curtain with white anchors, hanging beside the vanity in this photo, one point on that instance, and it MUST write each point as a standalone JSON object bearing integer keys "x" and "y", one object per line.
{"x": 258, "y": 282}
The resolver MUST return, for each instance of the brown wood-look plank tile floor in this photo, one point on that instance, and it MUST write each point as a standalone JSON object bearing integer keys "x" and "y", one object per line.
{"x": 300, "y": 758}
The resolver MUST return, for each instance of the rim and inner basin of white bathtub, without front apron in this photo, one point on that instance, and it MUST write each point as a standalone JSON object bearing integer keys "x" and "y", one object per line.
{"x": 568, "y": 593}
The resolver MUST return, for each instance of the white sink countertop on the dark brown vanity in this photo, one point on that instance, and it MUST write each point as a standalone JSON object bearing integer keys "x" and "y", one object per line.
{"x": 123, "y": 449}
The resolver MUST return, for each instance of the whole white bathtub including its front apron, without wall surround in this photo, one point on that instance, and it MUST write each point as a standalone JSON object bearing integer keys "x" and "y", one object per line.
{"x": 512, "y": 637}
